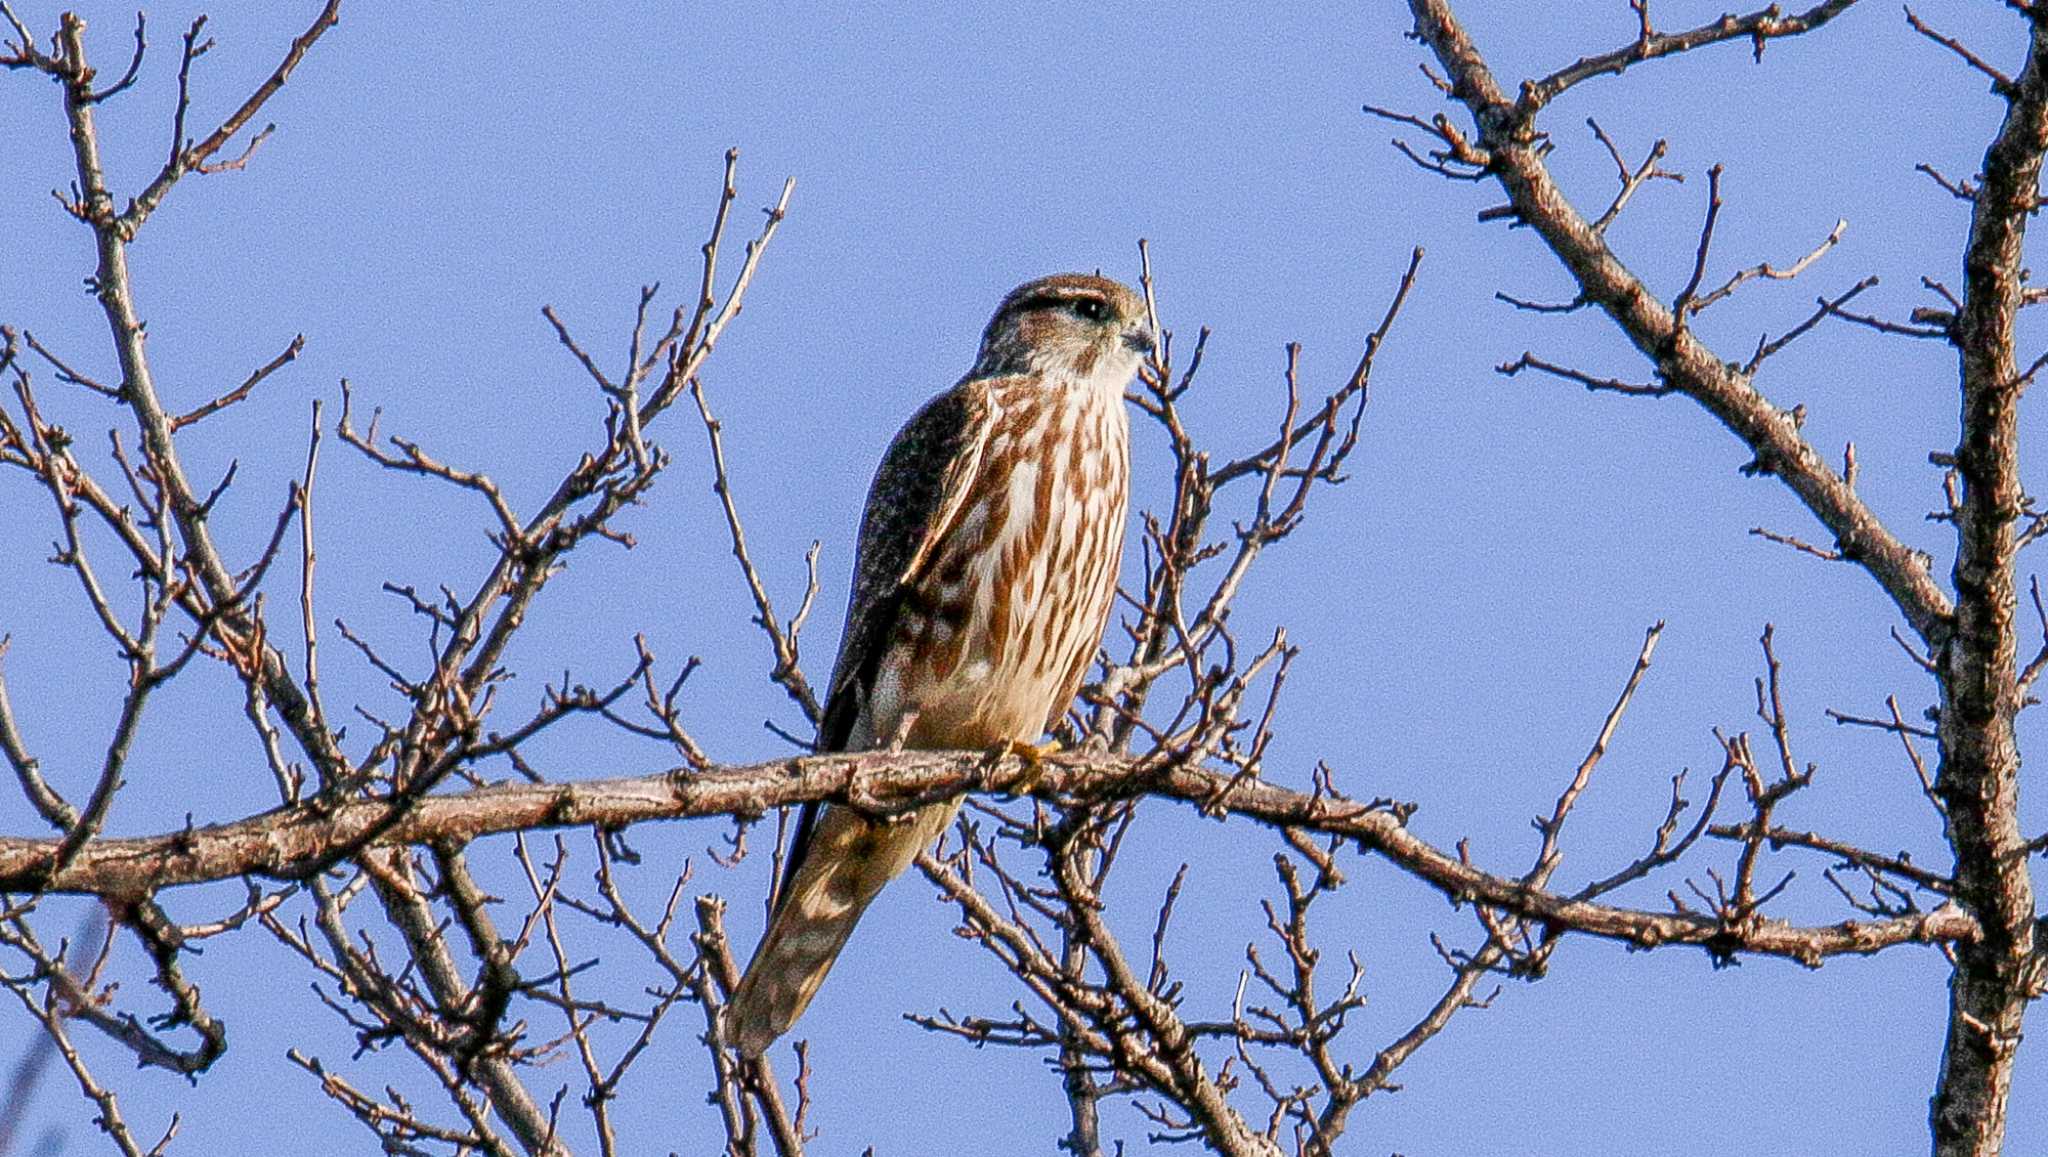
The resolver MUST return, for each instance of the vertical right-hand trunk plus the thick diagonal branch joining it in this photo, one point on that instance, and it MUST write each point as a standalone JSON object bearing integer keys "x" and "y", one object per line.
{"x": 1971, "y": 638}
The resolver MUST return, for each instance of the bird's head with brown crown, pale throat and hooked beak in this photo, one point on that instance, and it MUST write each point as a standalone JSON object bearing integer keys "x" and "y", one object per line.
{"x": 1070, "y": 325}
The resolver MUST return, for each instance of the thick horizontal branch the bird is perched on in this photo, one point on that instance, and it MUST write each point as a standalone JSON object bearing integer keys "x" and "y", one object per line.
{"x": 292, "y": 843}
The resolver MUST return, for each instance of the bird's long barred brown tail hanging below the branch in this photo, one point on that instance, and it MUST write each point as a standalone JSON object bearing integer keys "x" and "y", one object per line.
{"x": 843, "y": 871}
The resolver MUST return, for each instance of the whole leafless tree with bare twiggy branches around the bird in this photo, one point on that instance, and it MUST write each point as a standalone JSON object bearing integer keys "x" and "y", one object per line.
{"x": 364, "y": 869}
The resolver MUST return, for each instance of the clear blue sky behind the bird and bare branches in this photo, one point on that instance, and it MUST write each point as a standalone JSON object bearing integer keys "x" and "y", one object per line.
{"x": 1467, "y": 603}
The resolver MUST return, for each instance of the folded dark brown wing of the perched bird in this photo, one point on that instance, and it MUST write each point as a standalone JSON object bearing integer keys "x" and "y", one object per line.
{"x": 916, "y": 497}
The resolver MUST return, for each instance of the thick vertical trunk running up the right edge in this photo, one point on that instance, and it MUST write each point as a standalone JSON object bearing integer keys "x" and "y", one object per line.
{"x": 1979, "y": 775}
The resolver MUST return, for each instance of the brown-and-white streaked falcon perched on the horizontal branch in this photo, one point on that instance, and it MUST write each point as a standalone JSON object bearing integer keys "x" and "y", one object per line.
{"x": 986, "y": 572}
